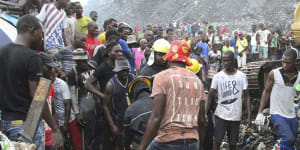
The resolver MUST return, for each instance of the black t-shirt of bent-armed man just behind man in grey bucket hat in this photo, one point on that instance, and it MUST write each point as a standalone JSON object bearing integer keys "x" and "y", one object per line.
{"x": 103, "y": 74}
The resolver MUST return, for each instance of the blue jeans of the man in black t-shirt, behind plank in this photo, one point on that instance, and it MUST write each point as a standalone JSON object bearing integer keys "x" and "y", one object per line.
{"x": 12, "y": 132}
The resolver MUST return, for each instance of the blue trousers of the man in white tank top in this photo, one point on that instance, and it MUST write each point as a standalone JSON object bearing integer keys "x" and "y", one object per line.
{"x": 287, "y": 129}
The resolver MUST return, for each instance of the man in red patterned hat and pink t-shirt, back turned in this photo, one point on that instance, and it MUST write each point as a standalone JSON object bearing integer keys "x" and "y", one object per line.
{"x": 179, "y": 99}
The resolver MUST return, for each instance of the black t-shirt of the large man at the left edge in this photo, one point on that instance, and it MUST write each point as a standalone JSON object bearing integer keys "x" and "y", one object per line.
{"x": 18, "y": 64}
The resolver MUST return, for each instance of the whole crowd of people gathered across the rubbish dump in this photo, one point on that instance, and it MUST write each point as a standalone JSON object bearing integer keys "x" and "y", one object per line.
{"x": 128, "y": 89}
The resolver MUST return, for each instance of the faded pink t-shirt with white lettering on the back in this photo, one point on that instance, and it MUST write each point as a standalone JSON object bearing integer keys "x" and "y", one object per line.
{"x": 184, "y": 92}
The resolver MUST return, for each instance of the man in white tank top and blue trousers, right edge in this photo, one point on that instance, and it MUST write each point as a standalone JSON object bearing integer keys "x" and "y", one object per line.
{"x": 280, "y": 88}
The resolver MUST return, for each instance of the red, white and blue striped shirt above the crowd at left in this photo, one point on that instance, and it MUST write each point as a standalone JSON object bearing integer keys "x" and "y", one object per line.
{"x": 54, "y": 21}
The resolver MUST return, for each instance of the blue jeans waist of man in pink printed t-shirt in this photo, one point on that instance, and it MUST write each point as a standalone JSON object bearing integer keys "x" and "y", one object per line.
{"x": 182, "y": 145}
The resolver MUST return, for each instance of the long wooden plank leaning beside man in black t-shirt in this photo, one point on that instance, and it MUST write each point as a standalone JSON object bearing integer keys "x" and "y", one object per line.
{"x": 34, "y": 114}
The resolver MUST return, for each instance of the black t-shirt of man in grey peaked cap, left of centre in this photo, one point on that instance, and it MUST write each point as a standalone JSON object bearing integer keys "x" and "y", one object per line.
{"x": 82, "y": 77}
